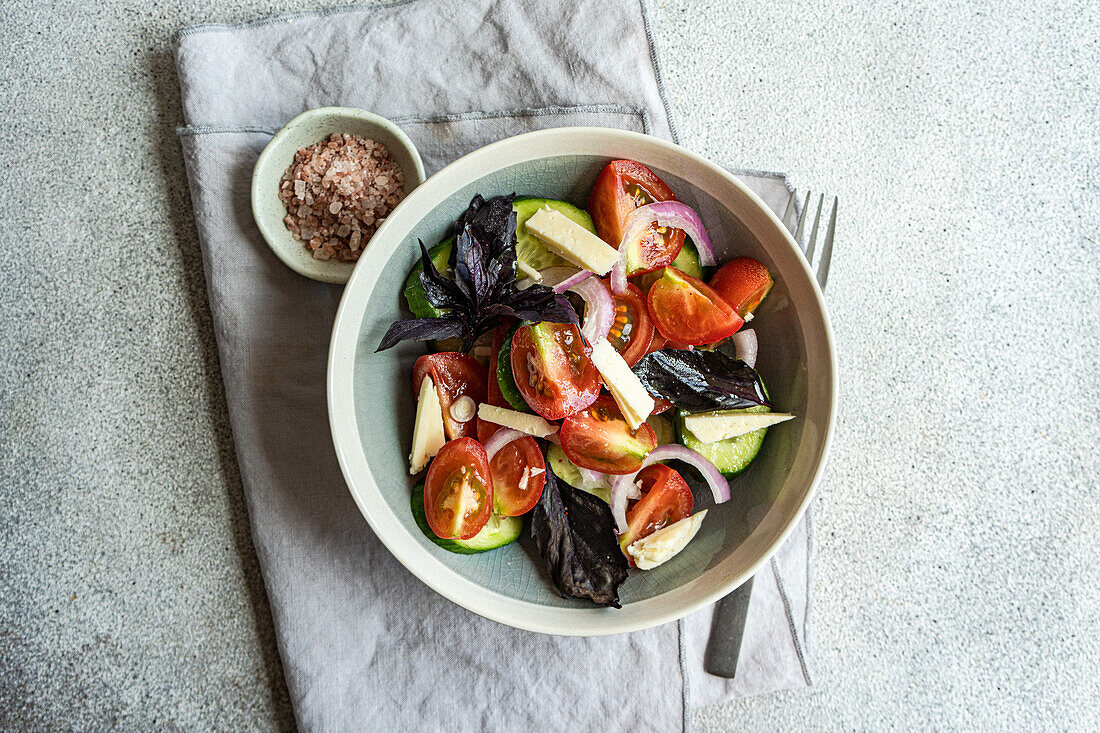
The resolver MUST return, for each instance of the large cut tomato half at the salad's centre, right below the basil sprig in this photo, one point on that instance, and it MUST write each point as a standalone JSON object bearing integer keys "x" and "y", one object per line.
{"x": 553, "y": 370}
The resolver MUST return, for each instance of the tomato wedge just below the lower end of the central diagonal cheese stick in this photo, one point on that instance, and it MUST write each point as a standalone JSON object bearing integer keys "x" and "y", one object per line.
{"x": 599, "y": 439}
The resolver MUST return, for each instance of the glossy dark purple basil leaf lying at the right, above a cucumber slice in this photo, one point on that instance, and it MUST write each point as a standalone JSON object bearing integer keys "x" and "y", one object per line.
{"x": 699, "y": 381}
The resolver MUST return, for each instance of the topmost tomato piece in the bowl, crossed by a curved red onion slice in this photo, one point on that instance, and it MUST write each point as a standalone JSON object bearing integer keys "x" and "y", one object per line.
{"x": 622, "y": 188}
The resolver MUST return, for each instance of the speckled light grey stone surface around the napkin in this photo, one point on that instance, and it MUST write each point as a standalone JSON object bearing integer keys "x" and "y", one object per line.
{"x": 958, "y": 583}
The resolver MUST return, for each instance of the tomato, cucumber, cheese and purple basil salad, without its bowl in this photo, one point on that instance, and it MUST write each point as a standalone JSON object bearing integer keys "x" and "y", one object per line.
{"x": 580, "y": 417}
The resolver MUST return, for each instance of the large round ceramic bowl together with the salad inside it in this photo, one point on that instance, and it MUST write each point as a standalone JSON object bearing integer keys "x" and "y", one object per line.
{"x": 564, "y": 434}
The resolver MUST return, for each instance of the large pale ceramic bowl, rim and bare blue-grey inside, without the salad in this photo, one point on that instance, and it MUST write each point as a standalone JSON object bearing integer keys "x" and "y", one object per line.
{"x": 372, "y": 406}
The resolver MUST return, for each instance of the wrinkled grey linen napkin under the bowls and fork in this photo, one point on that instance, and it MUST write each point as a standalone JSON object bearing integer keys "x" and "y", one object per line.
{"x": 364, "y": 642}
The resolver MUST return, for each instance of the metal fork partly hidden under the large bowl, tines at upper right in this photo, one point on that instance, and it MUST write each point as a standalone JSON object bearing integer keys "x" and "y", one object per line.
{"x": 728, "y": 630}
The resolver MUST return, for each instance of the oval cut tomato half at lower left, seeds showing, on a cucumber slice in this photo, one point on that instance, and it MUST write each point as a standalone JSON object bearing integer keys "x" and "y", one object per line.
{"x": 458, "y": 494}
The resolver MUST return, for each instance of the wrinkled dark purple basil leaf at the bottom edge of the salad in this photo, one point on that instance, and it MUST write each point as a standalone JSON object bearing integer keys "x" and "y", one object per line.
{"x": 576, "y": 538}
